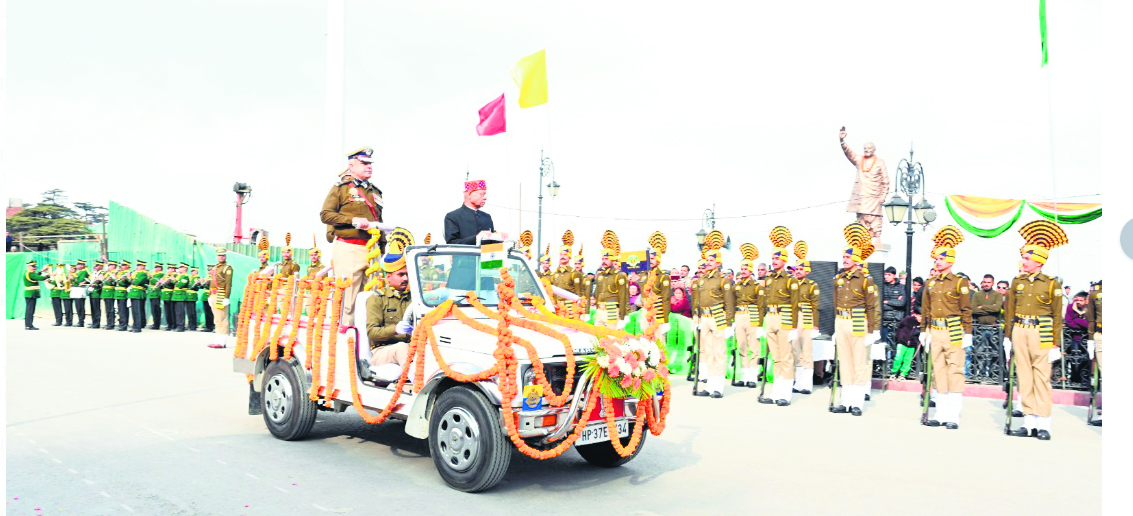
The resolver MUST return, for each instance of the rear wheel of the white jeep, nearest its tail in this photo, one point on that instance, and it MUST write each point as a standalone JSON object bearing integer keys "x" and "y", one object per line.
{"x": 288, "y": 412}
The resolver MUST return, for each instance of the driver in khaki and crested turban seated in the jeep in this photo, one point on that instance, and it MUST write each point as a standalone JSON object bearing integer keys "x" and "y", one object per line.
{"x": 388, "y": 335}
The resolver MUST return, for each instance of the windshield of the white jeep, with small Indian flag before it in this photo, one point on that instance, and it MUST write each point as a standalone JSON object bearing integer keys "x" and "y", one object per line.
{"x": 452, "y": 276}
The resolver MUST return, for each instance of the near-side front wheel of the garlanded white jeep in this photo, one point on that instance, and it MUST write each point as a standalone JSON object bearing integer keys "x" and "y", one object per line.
{"x": 468, "y": 447}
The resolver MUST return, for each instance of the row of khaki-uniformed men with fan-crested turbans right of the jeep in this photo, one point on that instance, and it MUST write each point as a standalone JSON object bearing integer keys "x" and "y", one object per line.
{"x": 783, "y": 308}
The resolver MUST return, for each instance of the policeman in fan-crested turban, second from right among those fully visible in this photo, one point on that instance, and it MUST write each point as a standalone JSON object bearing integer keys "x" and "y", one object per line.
{"x": 947, "y": 328}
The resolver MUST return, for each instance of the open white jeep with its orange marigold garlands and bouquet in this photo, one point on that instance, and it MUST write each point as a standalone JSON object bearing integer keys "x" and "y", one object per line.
{"x": 525, "y": 375}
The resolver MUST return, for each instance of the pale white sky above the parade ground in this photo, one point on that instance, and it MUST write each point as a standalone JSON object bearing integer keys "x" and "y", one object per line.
{"x": 654, "y": 113}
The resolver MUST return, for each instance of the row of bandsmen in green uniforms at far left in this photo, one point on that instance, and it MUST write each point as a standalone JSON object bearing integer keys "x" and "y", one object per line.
{"x": 114, "y": 289}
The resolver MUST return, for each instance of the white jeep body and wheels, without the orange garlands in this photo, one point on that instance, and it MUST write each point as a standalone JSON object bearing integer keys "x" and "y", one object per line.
{"x": 463, "y": 421}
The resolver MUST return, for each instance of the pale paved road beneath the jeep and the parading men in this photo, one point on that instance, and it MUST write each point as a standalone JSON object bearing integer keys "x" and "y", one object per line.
{"x": 106, "y": 422}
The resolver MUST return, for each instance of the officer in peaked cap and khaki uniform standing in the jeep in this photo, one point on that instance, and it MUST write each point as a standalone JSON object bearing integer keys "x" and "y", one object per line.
{"x": 352, "y": 207}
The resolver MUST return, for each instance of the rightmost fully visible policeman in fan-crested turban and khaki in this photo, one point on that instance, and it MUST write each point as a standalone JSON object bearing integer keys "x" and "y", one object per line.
{"x": 1033, "y": 325}
